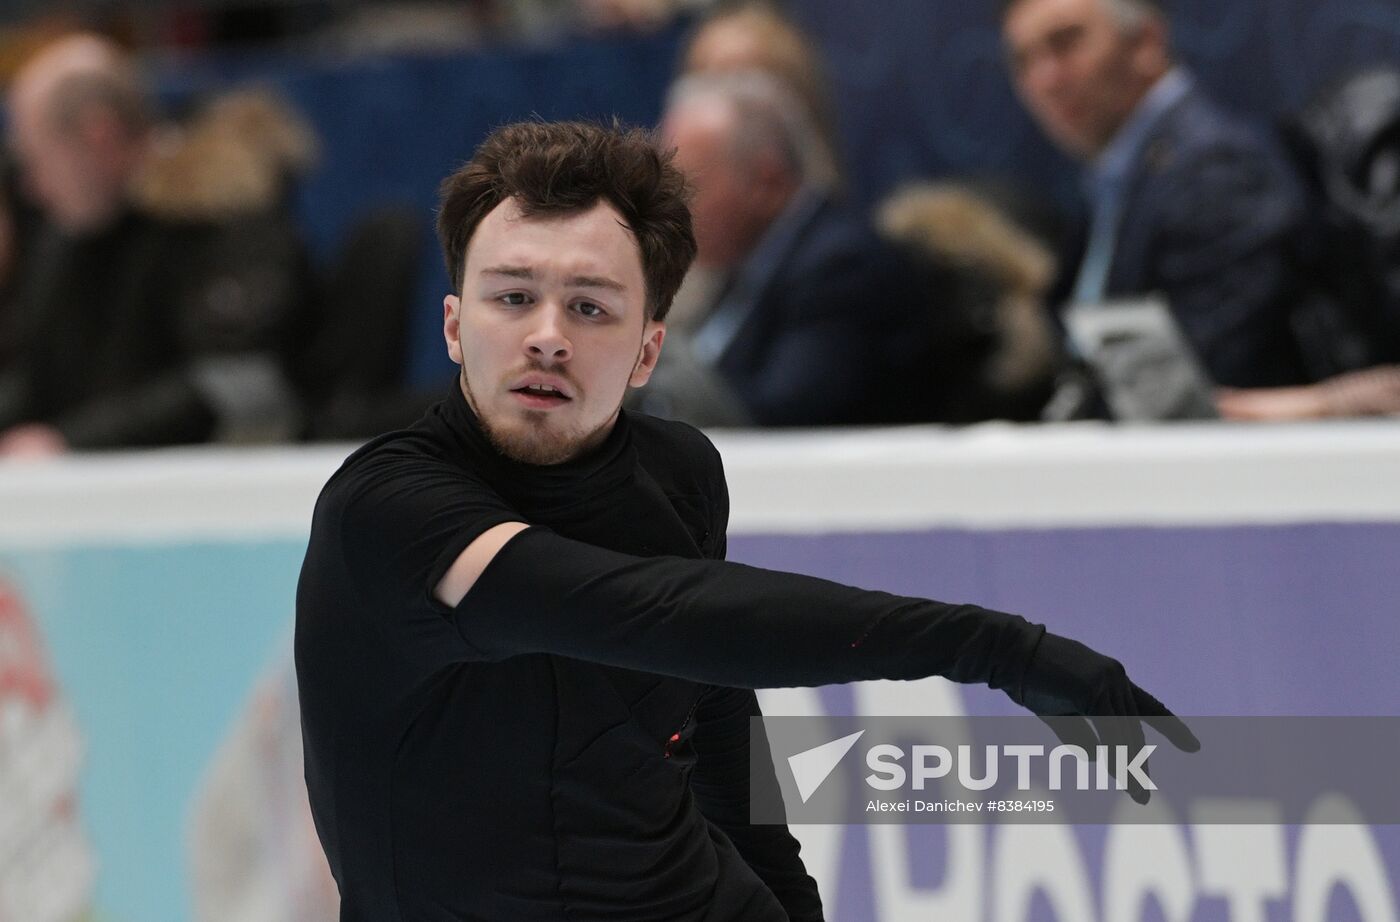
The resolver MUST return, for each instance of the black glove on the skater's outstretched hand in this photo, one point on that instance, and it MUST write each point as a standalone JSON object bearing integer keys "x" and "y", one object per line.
{"x": 1088, "y": 700}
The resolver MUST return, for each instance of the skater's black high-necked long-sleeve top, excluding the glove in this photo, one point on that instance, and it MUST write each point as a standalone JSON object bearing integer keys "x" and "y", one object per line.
{"x": 572, "y": 742}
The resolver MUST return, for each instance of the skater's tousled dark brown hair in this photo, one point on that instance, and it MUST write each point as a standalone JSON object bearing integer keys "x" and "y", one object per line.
{"x": 561, "y": 167}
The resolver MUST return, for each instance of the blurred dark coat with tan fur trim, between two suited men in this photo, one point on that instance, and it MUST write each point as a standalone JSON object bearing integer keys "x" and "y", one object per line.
{"x": 992, "y": 345}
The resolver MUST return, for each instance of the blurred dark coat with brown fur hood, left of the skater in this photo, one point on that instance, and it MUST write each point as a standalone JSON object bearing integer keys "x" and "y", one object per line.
{"x": 226, "y": 183}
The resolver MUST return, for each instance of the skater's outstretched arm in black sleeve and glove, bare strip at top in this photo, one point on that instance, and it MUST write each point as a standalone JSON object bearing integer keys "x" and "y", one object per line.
{"x": 740, "y": 626}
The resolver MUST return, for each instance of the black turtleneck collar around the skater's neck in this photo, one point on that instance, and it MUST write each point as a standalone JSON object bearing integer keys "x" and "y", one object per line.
{"x": 570, "y": 489}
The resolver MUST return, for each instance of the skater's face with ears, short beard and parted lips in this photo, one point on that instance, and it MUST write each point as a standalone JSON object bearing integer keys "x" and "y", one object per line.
{"x": 551, "y": 329}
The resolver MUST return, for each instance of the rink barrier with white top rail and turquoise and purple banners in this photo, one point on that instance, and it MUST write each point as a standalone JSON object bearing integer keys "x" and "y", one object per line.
{"x": 150, "y": 763}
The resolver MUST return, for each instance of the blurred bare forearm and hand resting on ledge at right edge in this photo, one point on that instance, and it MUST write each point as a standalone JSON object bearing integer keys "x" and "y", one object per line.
{"x": 1370, "y": 392}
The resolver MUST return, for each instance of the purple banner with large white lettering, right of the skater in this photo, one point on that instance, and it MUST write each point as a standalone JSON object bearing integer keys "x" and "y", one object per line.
{"x": 1244, "y": 620}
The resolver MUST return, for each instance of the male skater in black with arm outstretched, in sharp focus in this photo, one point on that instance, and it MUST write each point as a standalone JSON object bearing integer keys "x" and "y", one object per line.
{"x": 526, "y": 671}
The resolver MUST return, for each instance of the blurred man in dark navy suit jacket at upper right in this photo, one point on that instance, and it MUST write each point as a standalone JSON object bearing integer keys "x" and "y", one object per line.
{"x": 1186, "y": 201}
